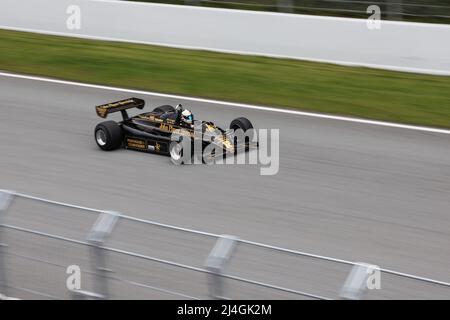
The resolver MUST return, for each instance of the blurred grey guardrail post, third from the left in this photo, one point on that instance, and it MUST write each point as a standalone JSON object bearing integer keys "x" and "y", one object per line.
{"x": 215, "y": 263}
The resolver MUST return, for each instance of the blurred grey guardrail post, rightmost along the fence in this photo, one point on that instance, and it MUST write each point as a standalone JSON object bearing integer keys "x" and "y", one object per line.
{"x": 357, "y": 282}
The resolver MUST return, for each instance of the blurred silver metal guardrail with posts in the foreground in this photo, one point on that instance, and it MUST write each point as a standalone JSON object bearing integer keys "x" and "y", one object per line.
{"x": 217, "y": 259}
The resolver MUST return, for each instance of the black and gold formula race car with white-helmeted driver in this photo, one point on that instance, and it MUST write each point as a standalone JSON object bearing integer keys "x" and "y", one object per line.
{"x": 171, "y": 131}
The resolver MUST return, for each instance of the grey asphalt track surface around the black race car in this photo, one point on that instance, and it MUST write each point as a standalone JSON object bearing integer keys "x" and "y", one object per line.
{"x": 352, "y": 191}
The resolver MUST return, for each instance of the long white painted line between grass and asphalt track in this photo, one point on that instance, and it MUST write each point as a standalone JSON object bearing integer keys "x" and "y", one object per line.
{"x": 231, "y": 104}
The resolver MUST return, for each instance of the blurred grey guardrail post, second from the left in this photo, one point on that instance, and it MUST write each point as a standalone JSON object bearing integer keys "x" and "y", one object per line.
{"x": 98, "y": 235}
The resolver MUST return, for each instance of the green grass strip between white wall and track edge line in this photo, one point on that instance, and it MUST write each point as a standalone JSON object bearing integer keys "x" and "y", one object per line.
{"x": 359, "y": 92}
